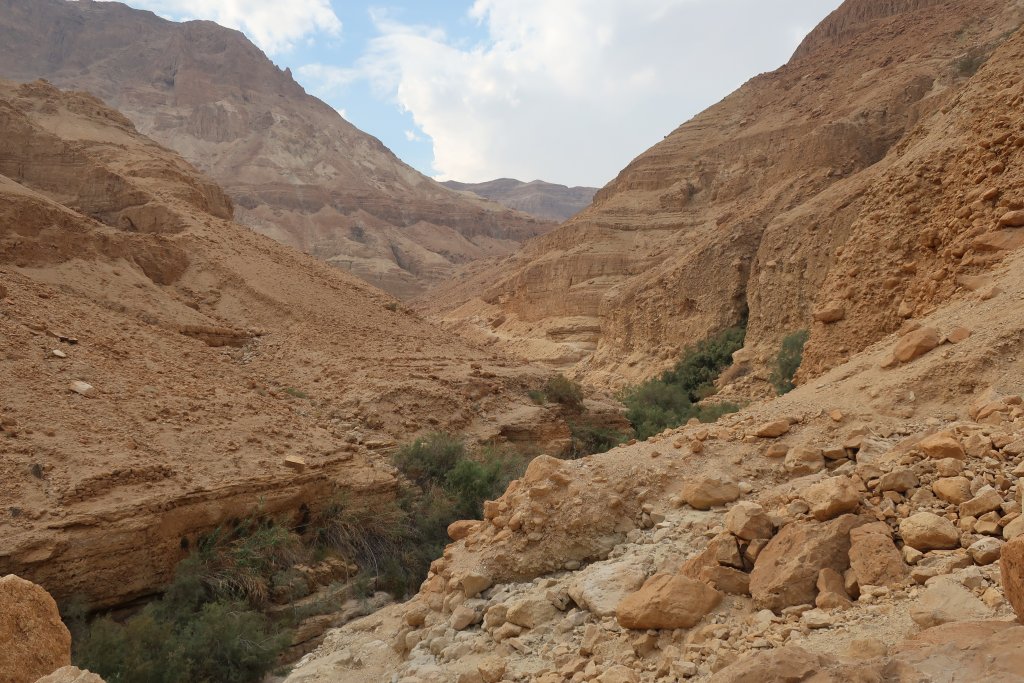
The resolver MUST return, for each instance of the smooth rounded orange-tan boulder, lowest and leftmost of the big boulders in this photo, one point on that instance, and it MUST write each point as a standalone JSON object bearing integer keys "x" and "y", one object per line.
{"x": 668, "y": 602}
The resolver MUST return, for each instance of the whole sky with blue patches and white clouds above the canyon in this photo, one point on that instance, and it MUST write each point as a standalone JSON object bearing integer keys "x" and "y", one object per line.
{"x": 568, "y": 92}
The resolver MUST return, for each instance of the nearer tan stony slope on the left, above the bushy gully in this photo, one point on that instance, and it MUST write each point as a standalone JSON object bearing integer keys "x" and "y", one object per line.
{"x": 166, "y": 370}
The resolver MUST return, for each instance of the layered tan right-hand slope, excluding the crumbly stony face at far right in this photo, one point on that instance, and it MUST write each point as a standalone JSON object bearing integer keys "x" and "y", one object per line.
{"x": 741, "y": 212}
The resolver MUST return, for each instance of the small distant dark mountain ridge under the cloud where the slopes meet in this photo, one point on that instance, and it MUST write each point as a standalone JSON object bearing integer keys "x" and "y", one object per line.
{"x": 544, "y": 200}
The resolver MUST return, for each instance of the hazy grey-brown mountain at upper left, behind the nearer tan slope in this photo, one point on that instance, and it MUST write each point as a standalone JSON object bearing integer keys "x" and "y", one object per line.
{"x": 294, "y": 169}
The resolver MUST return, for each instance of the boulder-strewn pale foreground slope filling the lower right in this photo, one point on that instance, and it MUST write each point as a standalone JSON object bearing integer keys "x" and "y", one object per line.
{"x": 867, "y": 527}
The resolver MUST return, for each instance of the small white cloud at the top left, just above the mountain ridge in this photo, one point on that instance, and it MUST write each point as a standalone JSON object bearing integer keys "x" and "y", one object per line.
{"x": 277, "y": 26}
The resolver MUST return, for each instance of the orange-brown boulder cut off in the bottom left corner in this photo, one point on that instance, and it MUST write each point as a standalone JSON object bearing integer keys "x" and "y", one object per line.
{"x": 35, "y": 641}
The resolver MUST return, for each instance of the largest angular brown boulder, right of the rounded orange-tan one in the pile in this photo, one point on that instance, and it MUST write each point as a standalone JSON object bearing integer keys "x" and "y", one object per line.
{"x": 787, "y": 571}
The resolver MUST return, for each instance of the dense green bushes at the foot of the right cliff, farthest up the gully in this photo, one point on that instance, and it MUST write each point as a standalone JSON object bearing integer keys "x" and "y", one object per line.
{"x": 673, "y": 399}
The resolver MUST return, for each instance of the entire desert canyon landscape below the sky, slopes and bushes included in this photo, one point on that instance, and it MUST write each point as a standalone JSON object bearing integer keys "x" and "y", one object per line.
{"x": 257, "y": 369}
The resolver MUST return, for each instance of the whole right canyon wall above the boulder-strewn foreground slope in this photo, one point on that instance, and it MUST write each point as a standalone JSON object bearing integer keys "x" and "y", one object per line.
{"x": 764, "y": 206}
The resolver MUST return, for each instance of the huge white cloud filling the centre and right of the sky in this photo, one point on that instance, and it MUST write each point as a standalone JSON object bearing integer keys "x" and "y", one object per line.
{"x": 572, "y": 91}
